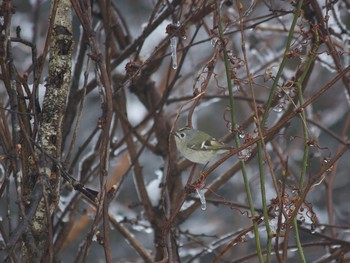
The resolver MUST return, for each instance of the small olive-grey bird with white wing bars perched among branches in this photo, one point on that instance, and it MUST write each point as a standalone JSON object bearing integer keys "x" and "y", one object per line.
{"x": 198, "y": 146}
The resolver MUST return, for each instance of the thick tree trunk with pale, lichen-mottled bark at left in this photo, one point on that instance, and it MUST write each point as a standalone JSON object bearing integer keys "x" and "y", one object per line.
{"x": 50, "y": 129}
